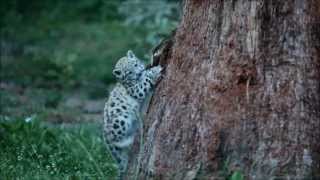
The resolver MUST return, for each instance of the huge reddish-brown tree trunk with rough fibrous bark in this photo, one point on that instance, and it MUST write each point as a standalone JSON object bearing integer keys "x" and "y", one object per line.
{"x": 240, "y": 92}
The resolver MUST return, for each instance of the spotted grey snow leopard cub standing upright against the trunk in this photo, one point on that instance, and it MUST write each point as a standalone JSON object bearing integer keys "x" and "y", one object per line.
{"x": 122, "y": 109}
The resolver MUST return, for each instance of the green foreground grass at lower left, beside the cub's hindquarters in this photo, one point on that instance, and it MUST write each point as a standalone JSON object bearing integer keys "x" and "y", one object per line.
{"x": 36, "y": 150}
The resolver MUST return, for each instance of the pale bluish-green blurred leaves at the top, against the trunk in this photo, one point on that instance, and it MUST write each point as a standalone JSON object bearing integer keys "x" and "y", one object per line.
{"x": 158, "y": 18}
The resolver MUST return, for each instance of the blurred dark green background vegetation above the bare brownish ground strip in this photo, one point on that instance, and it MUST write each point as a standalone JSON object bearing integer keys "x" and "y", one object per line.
{"x": 65, "y": 44}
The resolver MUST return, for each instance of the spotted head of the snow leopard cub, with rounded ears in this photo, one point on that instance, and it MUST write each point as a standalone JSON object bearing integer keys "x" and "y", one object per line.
{"x": 128, "y": 67}
